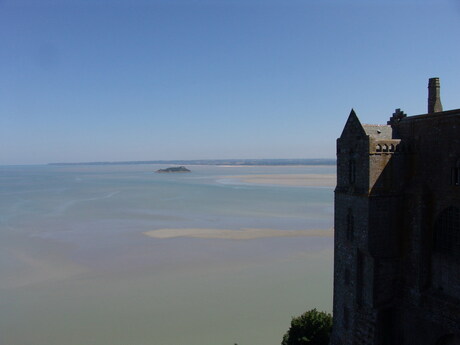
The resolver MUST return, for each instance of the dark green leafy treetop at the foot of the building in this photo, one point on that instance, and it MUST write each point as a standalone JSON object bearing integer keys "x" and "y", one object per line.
{"x": 311, "y": 328}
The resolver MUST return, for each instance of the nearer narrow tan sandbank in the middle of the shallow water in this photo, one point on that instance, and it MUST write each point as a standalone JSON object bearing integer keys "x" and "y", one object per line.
{"x": 242, "y": 234}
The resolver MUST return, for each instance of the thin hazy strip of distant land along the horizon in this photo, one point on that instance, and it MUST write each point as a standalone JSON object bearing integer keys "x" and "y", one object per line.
{"x": 218, "y": 162}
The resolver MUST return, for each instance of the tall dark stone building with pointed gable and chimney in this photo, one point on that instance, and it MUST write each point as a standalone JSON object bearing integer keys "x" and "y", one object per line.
{"x": 397, "y": 229}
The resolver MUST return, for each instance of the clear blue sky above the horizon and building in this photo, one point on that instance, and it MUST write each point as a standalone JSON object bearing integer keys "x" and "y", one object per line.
{"x": 108, "y": 80}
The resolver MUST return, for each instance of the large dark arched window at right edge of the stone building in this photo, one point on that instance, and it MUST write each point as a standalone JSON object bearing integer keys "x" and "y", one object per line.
{"x": 447, "y": 233}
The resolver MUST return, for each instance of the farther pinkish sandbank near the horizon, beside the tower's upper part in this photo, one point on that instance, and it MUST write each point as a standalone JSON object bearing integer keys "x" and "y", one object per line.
{"x": 305, "y": 180}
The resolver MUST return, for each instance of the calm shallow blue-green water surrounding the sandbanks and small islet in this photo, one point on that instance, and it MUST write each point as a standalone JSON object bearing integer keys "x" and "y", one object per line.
{"x": 77, "y": 269}
